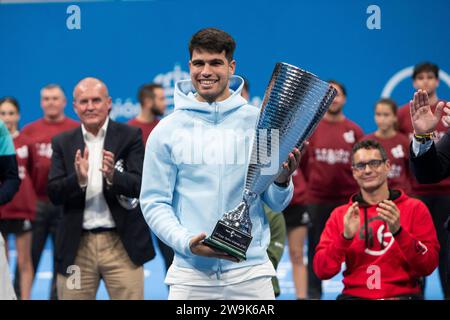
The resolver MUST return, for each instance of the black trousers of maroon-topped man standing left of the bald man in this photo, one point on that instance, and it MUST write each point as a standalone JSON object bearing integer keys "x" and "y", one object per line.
{"x": 45, "y": 224}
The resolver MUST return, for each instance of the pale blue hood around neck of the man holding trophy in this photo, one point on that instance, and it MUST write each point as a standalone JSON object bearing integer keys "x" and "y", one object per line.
{"x": 184, "y": 99}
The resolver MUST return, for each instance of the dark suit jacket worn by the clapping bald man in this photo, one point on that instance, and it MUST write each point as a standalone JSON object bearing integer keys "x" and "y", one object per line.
{"x": 63, "y": 189}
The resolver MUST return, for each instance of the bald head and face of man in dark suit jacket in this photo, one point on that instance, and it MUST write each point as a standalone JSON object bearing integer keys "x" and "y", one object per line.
{"x": 92, "y": 103}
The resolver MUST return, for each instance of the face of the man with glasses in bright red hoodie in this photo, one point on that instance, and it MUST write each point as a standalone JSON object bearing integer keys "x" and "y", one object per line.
{"x": 370, "y": 170}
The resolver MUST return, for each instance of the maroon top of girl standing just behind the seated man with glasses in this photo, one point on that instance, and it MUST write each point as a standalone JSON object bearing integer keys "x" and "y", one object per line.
{"x": 397, "y": 150}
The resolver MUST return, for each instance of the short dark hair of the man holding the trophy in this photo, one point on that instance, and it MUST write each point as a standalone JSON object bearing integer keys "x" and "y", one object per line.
{"x": 213, "y": 40}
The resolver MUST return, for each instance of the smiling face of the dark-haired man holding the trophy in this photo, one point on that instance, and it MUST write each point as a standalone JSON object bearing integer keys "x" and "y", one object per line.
{"x": 210, "y": 74}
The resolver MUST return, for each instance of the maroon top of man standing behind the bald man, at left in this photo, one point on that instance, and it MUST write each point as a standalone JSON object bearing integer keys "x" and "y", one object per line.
{"x": 40, "y": 134}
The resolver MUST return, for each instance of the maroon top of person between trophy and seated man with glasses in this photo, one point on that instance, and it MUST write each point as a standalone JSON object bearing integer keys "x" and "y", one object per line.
{"x": 327, "y": 162}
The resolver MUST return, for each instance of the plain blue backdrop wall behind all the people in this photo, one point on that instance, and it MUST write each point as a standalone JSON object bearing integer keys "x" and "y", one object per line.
{"x": 127, "y": 43}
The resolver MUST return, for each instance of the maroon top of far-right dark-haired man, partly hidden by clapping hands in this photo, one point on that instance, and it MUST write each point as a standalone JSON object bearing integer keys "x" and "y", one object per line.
{"x": 405, "y": 126}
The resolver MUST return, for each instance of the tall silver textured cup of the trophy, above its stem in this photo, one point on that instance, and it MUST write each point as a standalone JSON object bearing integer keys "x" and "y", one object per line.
{"x": 294, "y": 102}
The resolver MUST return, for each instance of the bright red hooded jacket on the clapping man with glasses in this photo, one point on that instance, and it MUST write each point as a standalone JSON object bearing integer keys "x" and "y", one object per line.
{"x": 379, "y": 265}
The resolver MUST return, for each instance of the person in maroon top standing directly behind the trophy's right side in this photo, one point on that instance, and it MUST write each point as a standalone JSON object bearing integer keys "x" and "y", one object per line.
{"x": 327, "y": 169}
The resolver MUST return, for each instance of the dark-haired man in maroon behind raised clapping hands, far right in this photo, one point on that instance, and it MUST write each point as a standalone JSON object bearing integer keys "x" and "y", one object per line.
{"x": 435, "y": 196}
